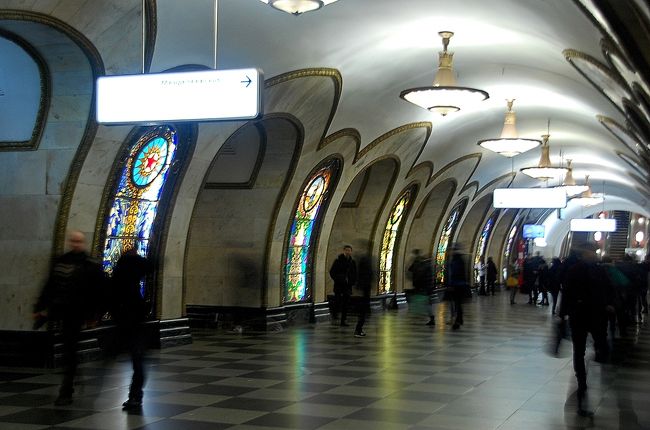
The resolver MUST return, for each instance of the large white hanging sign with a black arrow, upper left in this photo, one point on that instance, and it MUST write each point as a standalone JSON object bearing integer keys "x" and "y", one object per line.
{"x": 188, "y": 96}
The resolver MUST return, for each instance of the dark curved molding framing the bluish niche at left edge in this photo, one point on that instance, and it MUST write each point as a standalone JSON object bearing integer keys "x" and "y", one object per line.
{"x": 45, "y": 95}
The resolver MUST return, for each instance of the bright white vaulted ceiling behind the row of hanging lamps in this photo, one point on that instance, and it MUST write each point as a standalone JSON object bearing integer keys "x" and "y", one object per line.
{"x": 509, "y": 48}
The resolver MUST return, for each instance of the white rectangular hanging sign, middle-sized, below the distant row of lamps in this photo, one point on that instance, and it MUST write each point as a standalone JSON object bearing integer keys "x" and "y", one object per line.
{"x": 523, "y": 198}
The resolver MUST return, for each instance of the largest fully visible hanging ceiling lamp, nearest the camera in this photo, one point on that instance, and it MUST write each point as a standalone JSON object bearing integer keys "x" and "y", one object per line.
{"x": 444, "y": 96}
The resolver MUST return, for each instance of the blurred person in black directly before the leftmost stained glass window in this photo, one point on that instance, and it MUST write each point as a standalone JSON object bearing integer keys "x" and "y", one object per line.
{"x": 129, "y": 312}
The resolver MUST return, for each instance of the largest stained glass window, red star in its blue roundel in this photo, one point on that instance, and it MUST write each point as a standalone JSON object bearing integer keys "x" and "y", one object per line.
{"x": 137, "y": 197}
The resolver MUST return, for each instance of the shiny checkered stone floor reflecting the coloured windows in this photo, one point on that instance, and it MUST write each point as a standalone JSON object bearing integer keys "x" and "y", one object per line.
{"x": 493, "y": 373}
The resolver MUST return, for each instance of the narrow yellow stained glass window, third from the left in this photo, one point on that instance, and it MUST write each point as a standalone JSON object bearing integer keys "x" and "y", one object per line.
{"x": 391, "y": 234}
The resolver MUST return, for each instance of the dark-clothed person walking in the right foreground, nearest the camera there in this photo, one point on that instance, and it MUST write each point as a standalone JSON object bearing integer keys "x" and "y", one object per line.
{"x": 587, "y": 298}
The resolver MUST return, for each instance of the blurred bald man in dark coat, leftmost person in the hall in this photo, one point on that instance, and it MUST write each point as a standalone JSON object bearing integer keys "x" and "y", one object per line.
{"x": 71, "y": 296}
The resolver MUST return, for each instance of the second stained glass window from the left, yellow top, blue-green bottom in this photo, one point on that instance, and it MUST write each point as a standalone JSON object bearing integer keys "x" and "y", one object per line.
{"x": 307, "y": 217}
